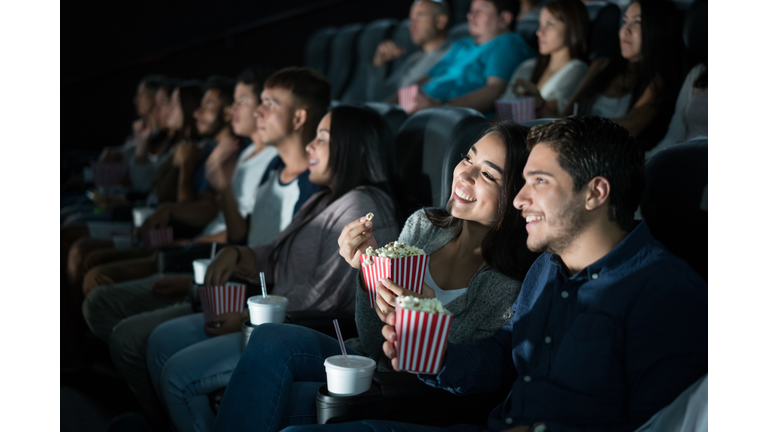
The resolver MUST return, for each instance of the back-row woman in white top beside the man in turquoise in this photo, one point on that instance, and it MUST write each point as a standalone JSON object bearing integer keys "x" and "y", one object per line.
{"x": 552, "y": 77}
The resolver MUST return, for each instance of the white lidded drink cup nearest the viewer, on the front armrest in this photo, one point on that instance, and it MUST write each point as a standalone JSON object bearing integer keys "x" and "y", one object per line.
{"x": 350, "y": 376}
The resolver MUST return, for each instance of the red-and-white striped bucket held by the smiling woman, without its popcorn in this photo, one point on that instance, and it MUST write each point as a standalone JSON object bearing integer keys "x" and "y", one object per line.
{"x": 408, "y": 272}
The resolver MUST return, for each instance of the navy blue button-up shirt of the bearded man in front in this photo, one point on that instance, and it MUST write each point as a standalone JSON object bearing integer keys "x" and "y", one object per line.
{"x": 602, "y": 350}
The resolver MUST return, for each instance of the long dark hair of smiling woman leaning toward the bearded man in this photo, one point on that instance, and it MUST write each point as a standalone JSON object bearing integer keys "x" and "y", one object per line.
{"x": 504, "y": 246}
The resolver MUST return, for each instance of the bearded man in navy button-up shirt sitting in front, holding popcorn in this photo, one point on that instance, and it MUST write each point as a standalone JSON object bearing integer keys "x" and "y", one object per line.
{"x": 609, "y": 327}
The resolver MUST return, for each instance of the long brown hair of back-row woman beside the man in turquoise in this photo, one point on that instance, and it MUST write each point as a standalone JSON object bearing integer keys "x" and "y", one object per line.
{"x": 576, "y": 18}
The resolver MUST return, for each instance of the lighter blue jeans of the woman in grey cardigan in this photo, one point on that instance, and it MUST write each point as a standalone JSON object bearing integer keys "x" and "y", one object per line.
{"x": 186, "y": 364}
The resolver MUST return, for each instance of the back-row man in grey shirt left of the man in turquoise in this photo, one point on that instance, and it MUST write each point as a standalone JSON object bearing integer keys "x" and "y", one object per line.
{"x": 428, "y": 26}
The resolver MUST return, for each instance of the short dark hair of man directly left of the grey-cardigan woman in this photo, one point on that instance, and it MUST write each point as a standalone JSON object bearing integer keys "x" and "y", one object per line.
{"x": 308, "y": 86}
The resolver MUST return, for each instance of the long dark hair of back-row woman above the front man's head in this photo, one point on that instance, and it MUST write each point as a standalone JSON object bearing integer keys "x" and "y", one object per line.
{"x": 660, "y": 66}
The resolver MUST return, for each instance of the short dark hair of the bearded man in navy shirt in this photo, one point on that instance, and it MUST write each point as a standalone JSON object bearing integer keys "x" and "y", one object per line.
{"x": 592, "y": 146}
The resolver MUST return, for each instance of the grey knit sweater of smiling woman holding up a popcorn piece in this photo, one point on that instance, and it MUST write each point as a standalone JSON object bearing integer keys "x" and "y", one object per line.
{"x": 477, "y": 314}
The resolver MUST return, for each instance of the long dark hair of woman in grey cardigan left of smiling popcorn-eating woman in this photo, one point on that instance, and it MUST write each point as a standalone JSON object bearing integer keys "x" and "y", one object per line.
{"x": 361, "y": 154}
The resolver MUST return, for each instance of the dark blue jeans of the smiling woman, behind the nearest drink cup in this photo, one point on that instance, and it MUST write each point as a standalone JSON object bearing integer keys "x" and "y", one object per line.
{"x": 276, "y": 381}
